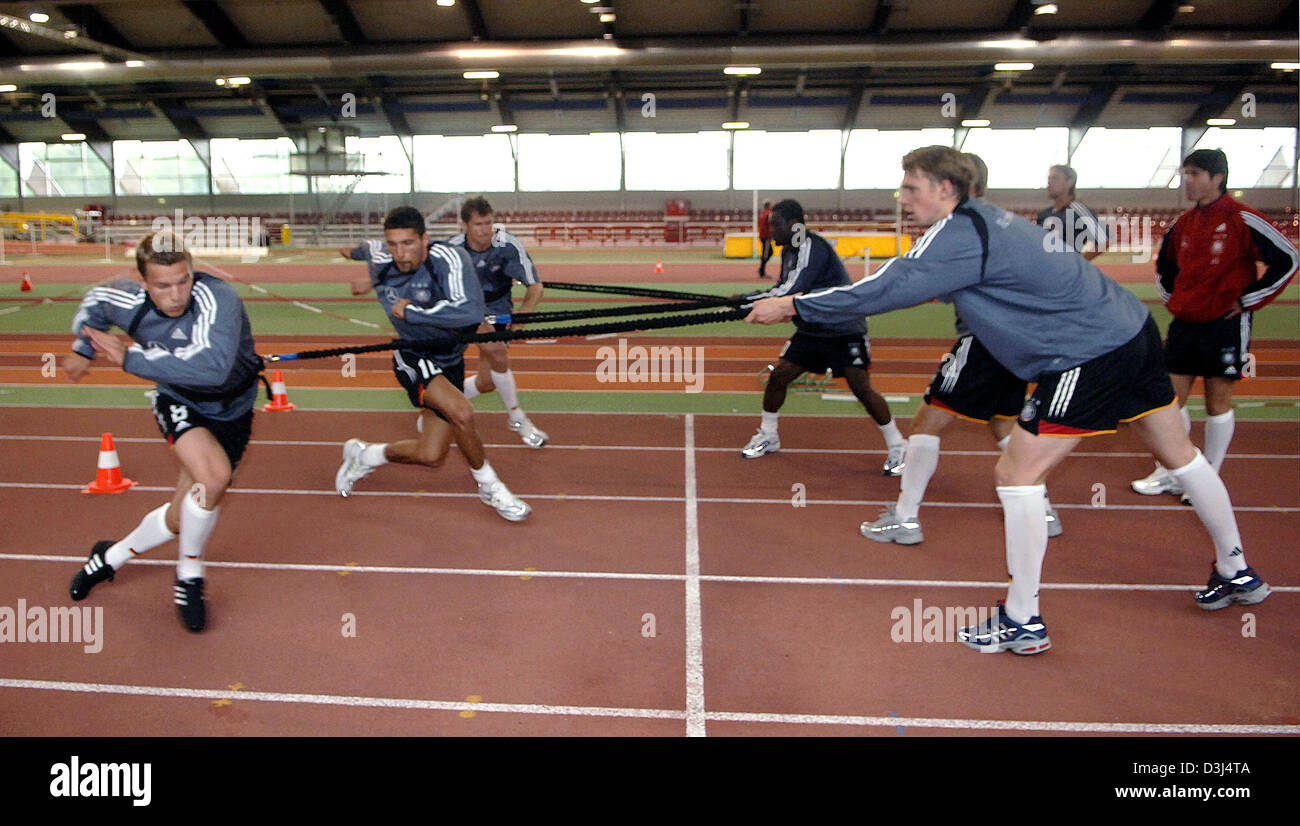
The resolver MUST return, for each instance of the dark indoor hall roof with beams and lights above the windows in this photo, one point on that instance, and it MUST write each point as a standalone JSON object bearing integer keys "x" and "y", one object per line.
{"x": 150, "y": 70}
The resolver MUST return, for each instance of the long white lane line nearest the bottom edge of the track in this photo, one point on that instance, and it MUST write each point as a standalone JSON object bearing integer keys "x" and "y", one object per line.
{"x": 590, "y": 711}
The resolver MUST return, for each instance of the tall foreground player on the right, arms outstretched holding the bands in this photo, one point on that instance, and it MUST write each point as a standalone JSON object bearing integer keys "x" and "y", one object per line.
{"x": 1091, "y": 347}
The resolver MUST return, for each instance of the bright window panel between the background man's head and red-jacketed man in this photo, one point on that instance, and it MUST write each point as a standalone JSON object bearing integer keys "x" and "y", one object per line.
{"x": 1129, "y": 158}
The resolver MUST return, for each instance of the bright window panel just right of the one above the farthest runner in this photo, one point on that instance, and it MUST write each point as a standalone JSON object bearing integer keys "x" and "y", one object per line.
{"x": 570, "y": 163}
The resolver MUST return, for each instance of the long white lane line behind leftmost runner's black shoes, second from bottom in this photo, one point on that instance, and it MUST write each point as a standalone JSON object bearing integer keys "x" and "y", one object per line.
{"x": 621, "y": 576}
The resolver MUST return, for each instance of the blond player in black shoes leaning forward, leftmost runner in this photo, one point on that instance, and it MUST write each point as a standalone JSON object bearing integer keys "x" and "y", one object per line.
{"x": 194, "y": 340}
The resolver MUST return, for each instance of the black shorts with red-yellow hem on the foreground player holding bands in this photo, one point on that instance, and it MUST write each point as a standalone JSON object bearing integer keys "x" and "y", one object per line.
{"x": 1095, "y": 397}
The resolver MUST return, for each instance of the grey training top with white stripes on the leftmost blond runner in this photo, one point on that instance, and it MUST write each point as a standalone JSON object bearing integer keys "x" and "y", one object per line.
{"x": 203, "y": 358}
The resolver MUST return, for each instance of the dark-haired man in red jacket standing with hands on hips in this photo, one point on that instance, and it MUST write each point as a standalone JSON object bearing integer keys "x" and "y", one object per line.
{"x": 1208, "y": 279}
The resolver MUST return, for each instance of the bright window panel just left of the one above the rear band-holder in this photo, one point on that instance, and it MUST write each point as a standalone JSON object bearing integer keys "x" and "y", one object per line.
{"x": 677, "y": 162}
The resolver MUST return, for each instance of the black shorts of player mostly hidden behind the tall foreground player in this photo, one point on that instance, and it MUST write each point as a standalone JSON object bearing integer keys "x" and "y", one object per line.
{"x": 972, "y": 384}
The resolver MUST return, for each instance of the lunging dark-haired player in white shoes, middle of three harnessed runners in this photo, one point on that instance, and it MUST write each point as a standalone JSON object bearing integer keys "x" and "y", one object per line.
{"x": 432, "y": 296}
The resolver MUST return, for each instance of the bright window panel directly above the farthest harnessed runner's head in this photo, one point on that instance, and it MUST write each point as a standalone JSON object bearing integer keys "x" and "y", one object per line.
{"x": 465, "y": 165}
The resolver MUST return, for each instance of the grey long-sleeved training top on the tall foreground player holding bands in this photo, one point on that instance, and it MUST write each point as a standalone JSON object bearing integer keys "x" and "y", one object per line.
{"x": 1037, "y": 312}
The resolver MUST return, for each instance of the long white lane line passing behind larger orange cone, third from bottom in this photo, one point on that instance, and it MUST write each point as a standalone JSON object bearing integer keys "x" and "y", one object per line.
{"x": 593, "y": 498}
